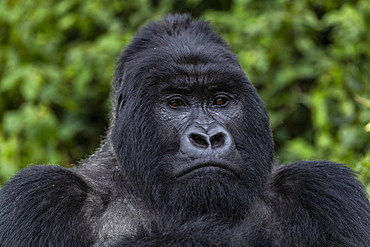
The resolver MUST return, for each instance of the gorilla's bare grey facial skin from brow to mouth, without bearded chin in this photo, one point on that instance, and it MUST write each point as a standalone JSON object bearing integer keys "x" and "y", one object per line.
{"x": 200, "y": 116}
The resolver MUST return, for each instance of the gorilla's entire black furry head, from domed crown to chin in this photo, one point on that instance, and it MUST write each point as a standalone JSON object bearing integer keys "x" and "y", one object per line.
{"x": 188, "y": 129}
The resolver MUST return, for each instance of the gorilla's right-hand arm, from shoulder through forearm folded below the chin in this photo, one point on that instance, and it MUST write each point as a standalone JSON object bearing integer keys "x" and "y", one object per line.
{"x": 305, "y": 204}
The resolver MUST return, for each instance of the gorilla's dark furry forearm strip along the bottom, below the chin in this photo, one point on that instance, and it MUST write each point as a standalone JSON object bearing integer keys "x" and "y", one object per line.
{"x": 205, "y": 232}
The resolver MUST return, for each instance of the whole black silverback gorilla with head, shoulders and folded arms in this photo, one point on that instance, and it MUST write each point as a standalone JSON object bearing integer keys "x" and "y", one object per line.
{"x": 188, "y": 161}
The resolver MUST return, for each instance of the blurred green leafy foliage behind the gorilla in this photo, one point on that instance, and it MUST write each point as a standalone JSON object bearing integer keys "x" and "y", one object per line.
{"x": 309, "y": 60}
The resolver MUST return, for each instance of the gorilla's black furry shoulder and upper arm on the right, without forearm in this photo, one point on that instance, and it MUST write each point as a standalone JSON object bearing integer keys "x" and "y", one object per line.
{"x": 320, "y": 203}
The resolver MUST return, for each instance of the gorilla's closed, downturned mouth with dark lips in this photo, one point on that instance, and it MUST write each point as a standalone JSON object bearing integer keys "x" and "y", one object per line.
{"x": 207, "y": 168}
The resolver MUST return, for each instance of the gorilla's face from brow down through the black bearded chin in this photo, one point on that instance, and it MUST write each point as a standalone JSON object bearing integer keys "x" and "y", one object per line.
{"x": 204, "y": 168}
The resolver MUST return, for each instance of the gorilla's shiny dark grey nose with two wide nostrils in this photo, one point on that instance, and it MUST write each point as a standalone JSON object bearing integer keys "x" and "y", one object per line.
{"x": 197, "y": 139}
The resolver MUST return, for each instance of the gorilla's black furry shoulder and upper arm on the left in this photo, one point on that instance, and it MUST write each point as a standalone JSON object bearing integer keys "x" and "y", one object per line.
{"x": 46, "y": 205}
